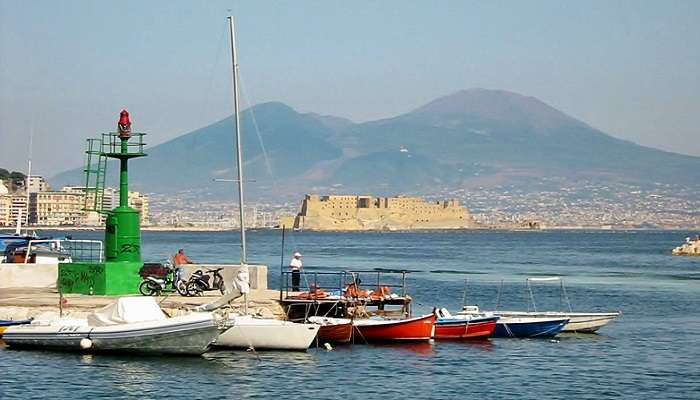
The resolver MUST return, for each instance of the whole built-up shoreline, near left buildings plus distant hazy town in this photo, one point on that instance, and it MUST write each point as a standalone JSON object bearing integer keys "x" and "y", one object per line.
{"x": 584, "y": 205}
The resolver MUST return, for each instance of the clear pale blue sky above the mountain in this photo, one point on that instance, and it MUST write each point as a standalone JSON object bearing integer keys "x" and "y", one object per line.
{"x": 628, "y": 68}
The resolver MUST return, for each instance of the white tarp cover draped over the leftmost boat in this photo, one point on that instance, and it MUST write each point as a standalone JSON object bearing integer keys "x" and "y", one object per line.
{"x": 127, "y": 310}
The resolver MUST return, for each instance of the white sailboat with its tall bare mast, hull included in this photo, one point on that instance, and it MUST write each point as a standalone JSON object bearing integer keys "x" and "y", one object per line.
{"x": 248, "y": 331}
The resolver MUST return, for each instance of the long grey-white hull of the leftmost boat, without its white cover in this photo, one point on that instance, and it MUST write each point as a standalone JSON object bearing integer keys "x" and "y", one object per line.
{"x": 185, "y": 335}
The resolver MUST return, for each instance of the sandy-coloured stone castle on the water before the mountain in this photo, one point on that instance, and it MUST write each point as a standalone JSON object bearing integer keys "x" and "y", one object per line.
{"x": 359, "y": 213}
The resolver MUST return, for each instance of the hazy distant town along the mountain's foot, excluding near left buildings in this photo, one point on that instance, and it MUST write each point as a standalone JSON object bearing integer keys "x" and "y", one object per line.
{"x": 562, "y": 205}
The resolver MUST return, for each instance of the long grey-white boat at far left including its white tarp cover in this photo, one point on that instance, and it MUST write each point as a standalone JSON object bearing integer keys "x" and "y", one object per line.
{"x": 129, "y": 325}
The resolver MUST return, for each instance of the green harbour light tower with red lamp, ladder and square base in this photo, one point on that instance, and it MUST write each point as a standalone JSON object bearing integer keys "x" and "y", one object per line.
{"x": 116, "y": 271}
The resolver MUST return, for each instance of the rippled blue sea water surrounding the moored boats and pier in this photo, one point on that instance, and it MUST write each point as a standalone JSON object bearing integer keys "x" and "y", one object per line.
{"x": 652, "y": 351}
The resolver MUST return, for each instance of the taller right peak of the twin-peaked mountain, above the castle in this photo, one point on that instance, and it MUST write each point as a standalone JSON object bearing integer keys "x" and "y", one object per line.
{"x": 503, "y": 131}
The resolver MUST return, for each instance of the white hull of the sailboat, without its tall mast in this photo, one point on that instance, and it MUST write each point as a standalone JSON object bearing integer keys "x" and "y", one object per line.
{"x": 251, "y": 332}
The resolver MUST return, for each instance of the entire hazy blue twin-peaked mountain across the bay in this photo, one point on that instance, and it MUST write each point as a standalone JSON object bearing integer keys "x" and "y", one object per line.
{"x": 470, "y": 137}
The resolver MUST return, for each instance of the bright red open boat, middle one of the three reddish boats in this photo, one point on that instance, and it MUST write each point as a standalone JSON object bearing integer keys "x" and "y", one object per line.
{"x": 387, "y": 330}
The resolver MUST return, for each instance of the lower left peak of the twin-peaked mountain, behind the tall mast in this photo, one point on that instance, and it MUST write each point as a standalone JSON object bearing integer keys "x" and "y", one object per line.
{"x": 292, "y": 144}
